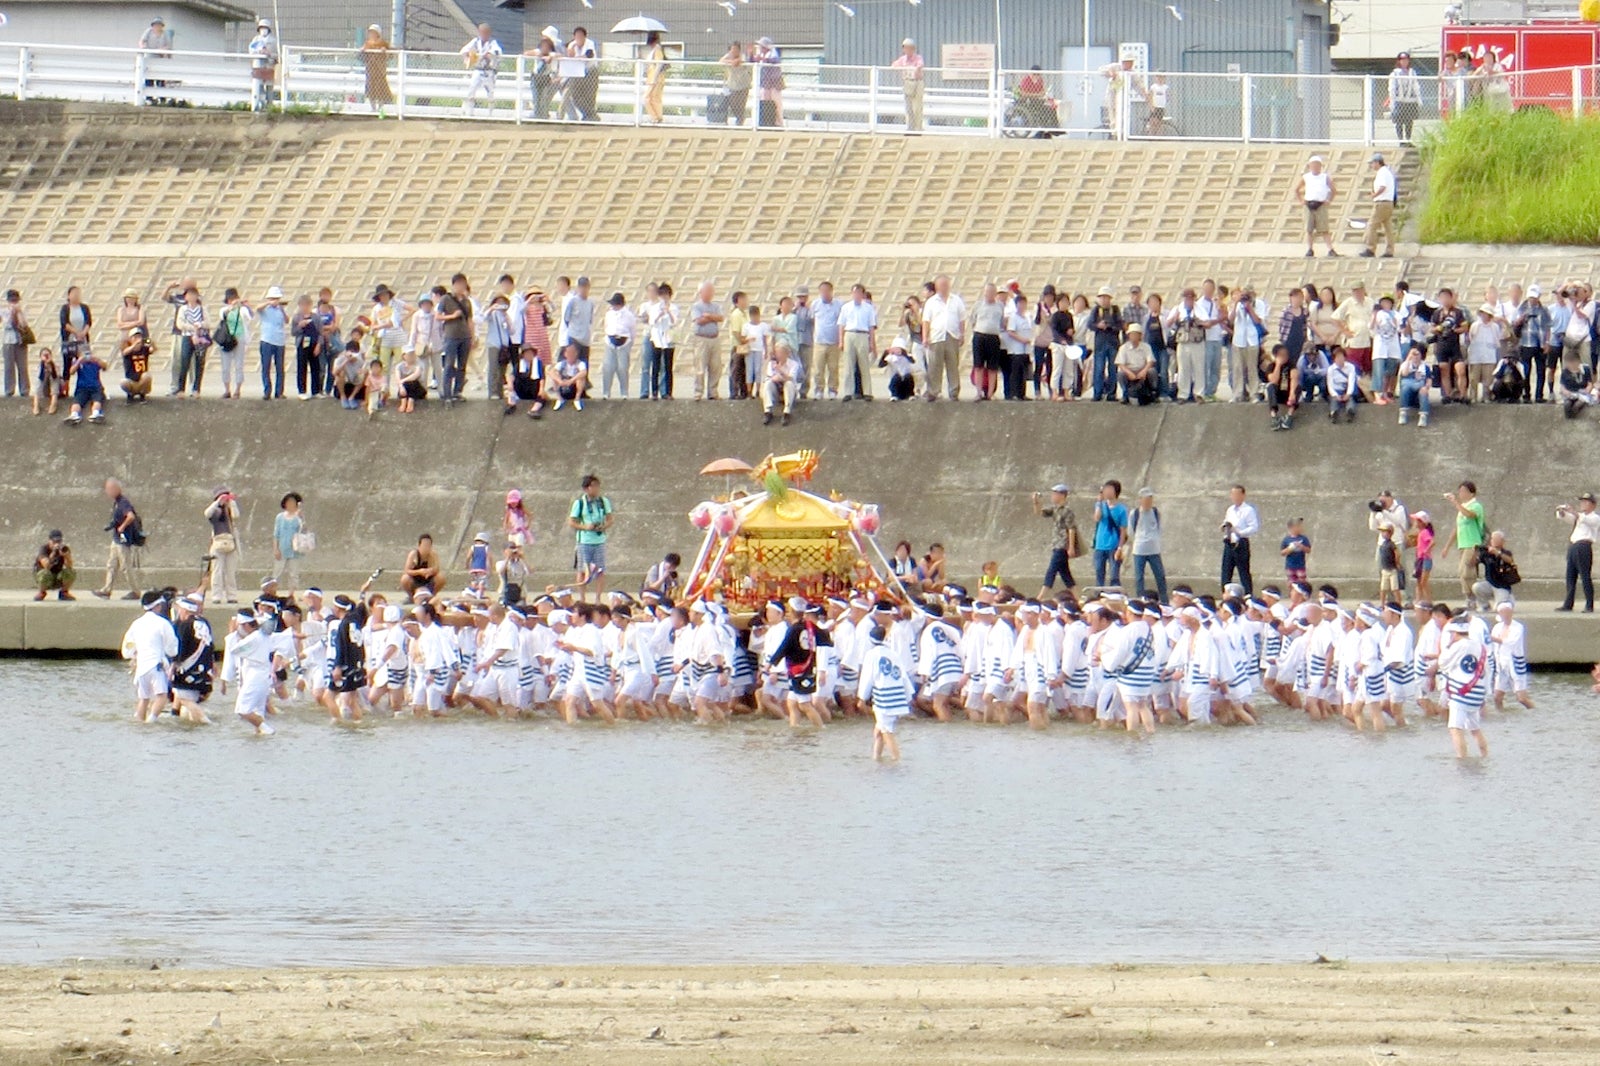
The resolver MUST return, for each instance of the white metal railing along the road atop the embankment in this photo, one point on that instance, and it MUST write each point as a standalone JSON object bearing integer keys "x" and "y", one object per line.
{"x": 1241, "y": 108}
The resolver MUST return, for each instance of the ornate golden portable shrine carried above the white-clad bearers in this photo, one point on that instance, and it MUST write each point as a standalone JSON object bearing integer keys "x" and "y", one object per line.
{"x": 782, "y": 540}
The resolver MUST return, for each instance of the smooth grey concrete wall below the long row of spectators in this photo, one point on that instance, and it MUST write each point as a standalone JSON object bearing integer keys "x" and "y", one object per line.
{"x": 959, "y": 475}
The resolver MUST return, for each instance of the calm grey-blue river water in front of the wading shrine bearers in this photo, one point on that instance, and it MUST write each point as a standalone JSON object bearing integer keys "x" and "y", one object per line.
{"x": 471, "y": 841}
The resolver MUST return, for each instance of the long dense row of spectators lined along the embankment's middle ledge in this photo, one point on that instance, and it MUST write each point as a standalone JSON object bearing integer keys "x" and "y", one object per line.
{"x": 569, "y": 347}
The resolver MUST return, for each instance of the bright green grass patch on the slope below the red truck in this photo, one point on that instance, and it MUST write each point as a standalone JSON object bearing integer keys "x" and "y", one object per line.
{"x": 1530, "y": 177}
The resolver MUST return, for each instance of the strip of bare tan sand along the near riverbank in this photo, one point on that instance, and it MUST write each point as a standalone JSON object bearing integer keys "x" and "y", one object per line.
{"x": 1470, "y": 1014}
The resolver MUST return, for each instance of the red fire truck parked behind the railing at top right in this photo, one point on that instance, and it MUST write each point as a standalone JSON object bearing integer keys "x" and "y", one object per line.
{"x": 1537, "y": 49}
